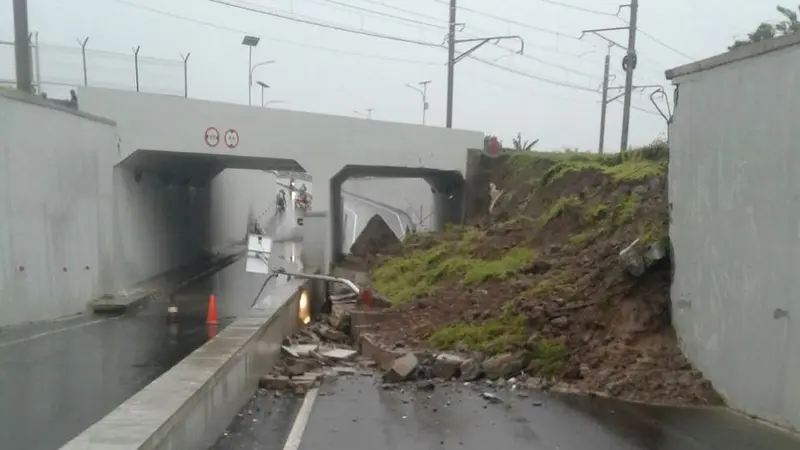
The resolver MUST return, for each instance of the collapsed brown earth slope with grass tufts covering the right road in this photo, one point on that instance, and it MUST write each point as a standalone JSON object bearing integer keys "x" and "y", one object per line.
{"x": 535, "y": 285}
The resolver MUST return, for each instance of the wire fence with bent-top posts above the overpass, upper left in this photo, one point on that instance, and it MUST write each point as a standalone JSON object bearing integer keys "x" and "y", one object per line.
{"x": 58, "y": 68}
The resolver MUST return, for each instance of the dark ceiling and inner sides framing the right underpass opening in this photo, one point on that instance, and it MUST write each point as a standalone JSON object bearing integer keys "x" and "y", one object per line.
{"x": 447, "y": 188}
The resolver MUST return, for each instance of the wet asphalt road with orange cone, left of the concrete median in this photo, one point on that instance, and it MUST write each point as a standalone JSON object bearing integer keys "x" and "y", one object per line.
{"x": 59, "y": 378}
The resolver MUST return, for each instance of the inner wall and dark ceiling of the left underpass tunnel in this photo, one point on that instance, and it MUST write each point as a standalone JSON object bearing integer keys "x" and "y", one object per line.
{"x": 177, "y": 208}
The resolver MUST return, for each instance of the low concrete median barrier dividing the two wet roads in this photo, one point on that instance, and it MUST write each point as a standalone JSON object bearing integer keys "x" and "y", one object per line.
{"x": 191, "y": 405}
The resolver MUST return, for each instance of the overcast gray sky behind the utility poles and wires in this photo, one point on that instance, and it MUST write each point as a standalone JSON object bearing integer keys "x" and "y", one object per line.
{"x": 547, "y": 93}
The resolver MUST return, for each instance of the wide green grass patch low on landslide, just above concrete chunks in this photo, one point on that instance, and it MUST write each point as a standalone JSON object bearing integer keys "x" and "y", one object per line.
{"x": 492, "y": 336}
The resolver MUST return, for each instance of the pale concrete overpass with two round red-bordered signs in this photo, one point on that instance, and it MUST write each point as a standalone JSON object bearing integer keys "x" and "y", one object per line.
{"x": 188, "y": 142}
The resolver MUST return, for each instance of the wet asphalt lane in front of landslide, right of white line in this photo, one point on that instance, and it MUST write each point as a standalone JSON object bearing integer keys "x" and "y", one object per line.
{"x": 355, "y": 414}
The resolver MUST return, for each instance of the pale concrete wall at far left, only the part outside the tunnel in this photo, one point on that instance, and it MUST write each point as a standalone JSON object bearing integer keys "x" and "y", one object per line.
{"x": 54, "y": 208}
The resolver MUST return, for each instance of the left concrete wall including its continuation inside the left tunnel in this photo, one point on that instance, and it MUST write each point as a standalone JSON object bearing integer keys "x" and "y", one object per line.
{"x": 74, "y": 227}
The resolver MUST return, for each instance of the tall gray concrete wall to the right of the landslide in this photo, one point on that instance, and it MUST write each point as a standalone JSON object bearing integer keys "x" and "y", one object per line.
{"x": 735, "y": 229}
